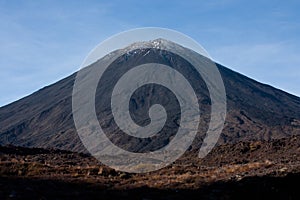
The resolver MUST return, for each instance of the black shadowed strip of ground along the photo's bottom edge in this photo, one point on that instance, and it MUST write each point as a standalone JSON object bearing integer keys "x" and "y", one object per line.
{"x": 249, "y": 188}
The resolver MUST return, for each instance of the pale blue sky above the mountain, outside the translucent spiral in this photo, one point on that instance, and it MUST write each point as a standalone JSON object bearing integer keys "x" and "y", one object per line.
{"x": 44, "y": 41}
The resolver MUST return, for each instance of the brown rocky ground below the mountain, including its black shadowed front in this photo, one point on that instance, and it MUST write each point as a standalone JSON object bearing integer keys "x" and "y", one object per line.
{"x": 246, "y": 170}
